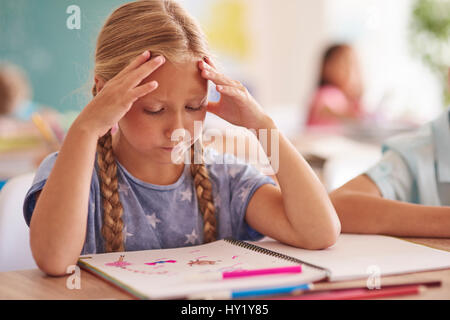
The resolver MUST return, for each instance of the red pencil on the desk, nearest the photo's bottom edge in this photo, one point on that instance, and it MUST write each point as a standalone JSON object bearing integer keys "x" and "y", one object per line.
{"x": 359, "y": 294}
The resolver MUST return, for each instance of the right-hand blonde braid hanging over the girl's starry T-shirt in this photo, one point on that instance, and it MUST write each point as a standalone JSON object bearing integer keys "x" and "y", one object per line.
{"x": 203, "y": 189}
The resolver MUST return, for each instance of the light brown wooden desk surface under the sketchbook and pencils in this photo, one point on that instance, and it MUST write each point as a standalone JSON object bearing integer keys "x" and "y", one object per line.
{"x": 33, "y": 284}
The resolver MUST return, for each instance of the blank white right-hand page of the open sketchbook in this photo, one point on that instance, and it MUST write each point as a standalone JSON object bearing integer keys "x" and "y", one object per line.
{"x": 359, "y": 256}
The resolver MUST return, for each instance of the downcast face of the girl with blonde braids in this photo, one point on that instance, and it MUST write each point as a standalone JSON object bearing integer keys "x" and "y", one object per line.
{"x": 180, "y": 100}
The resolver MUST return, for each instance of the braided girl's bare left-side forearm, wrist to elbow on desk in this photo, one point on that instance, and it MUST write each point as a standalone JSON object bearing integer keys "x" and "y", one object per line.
{"x": 58, "y": 224}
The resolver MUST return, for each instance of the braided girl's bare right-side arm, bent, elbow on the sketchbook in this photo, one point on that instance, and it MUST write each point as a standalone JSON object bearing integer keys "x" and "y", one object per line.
{"x": 299, "y": 211}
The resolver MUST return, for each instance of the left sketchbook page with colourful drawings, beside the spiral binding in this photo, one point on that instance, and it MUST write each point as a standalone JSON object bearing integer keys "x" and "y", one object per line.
{"x": 164, "y": 274}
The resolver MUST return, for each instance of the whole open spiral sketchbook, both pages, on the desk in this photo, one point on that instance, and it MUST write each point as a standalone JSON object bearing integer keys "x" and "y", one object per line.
{"x": 163, "y": 274}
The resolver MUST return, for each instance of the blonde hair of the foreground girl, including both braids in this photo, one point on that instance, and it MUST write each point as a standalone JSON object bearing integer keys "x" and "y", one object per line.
{"x": 164, "y": 28}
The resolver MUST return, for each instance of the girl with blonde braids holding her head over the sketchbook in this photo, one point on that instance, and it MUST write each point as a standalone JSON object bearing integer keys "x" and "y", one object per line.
{"x": 129, "y": 195}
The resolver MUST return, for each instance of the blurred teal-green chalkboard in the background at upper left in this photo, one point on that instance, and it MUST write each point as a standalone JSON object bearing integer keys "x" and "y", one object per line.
{"x": 58, "y": 60}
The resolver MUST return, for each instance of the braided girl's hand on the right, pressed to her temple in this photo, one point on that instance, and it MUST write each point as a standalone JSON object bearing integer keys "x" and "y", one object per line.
{"x": 236, "y": 105}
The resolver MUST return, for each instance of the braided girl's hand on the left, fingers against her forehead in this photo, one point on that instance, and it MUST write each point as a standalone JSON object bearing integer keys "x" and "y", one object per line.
{"x": 117, "y": 96}
